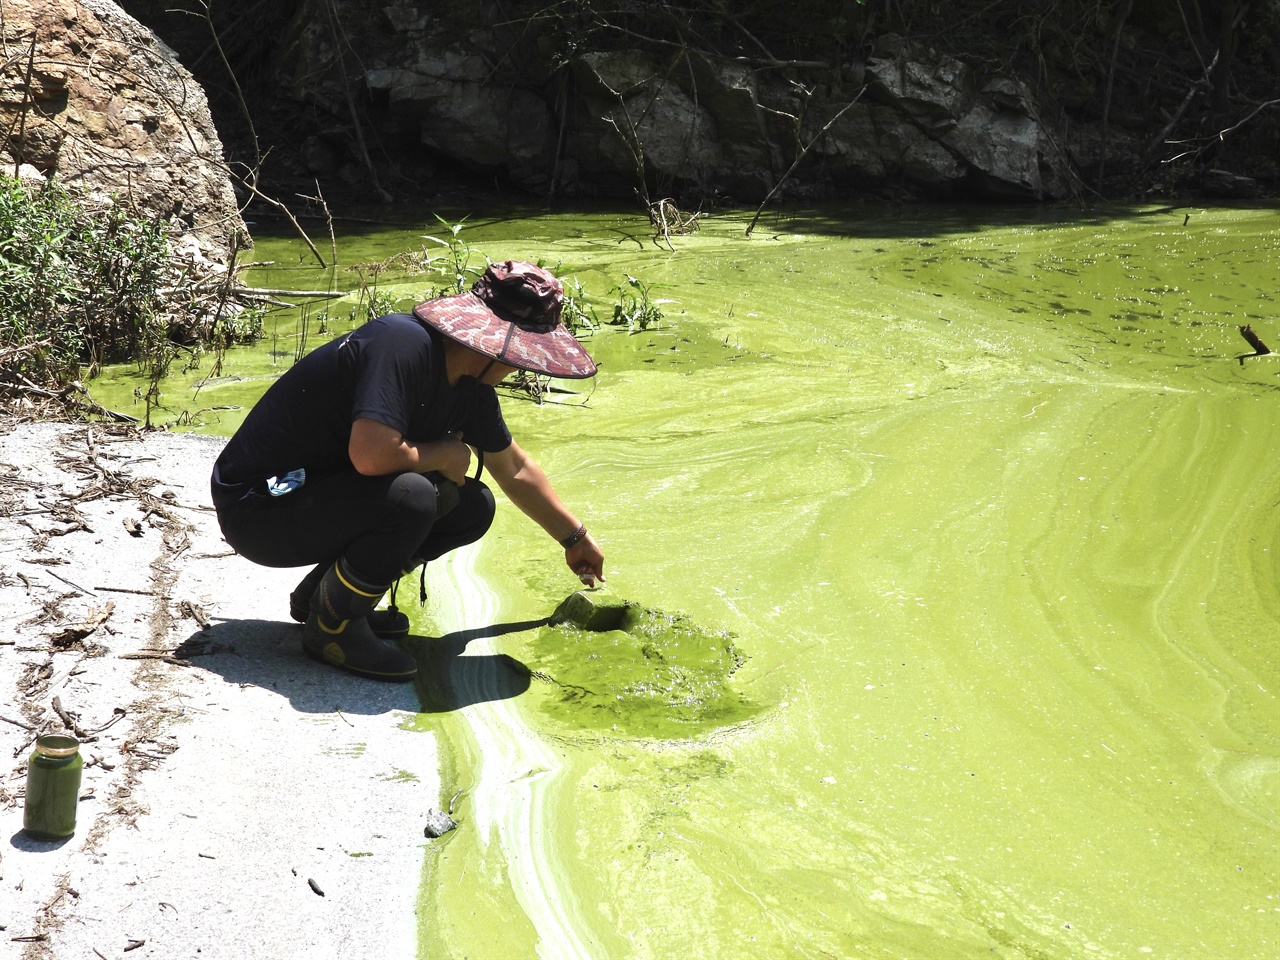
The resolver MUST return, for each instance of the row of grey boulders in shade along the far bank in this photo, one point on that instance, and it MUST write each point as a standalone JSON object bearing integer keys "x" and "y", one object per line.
{"x": 925, "y": 125}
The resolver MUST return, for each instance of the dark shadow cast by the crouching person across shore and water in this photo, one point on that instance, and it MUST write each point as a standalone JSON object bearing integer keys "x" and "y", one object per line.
{"x": 269, "y": 655}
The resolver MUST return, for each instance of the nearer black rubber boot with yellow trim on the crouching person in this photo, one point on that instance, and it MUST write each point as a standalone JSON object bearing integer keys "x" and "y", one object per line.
{"x": 337, "y": 630}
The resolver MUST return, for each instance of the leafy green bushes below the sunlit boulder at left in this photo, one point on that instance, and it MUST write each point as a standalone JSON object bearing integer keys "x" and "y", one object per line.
{"x": 85, "y": 282}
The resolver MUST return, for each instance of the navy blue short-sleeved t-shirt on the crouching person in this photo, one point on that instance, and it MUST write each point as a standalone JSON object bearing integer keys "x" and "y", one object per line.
{"x": 391, "y": 371}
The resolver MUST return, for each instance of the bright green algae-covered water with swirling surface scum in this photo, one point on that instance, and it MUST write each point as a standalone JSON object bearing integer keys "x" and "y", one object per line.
{"x": 981, "y": 514}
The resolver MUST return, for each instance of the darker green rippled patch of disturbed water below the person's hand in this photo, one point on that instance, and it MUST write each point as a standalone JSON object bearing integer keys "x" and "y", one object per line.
{"x": 637, "y": 673}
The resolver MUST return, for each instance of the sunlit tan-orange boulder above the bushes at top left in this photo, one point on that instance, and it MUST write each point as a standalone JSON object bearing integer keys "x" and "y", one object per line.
{"x": 111, "y": 111}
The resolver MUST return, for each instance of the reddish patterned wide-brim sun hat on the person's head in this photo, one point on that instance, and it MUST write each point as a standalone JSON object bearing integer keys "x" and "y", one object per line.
{"x": 513, "y": 314}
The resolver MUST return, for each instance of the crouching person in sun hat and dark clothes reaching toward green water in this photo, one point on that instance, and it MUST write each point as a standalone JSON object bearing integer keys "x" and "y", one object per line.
{"x": 356, "y": 460}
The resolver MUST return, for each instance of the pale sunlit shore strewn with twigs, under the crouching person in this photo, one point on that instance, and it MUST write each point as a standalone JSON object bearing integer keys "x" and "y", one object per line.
{"x": 239, "y": 799}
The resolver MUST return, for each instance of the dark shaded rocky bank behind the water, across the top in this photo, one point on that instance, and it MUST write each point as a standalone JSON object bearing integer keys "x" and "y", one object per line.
{"x": 587, "y": 99}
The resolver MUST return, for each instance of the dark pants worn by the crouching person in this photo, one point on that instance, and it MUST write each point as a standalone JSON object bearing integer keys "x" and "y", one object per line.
{"x": 382, "y": 525}
